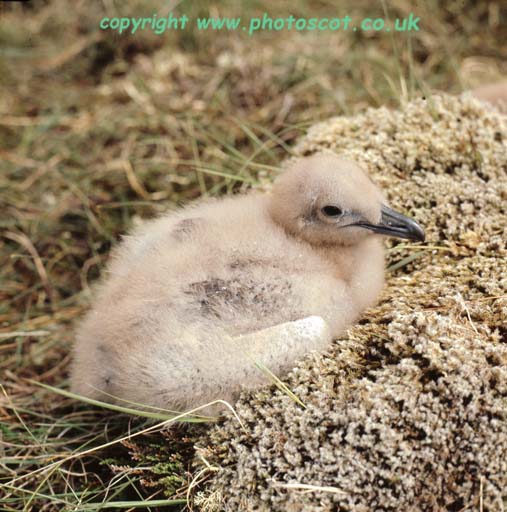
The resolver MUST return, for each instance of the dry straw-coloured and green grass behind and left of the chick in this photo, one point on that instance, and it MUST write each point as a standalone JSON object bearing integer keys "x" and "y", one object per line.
{"x": 99, "y": 129}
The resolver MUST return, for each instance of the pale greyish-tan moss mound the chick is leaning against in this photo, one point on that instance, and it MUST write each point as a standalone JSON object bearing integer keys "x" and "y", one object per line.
{"x": 408, "y": 411}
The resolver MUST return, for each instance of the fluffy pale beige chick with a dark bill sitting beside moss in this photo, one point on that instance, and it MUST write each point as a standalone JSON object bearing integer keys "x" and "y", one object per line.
{"x": 194, "y": 298}
